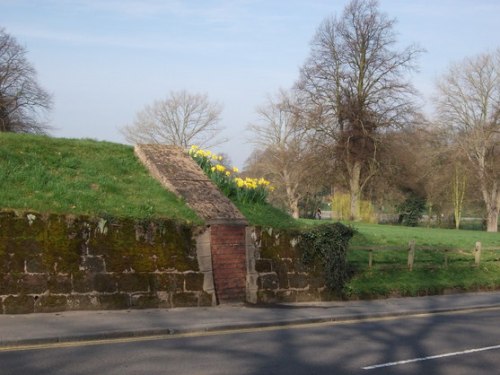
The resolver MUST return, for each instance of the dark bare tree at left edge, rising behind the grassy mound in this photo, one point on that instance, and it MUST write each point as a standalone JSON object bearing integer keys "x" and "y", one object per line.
{"x": 23, "y": 103}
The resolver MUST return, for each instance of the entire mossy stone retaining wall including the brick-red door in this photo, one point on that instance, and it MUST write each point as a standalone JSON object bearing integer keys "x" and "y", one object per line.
{"x": 56, "y": 263}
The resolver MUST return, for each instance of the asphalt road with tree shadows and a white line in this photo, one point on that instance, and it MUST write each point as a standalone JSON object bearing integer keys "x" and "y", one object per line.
{"x": 453, "y": 343}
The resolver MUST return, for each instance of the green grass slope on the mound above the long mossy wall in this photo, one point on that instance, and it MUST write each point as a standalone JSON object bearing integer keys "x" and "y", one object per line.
{"x": 81, "y": 177}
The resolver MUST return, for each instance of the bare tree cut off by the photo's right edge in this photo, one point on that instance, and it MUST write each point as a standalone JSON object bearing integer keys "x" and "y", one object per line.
{"x": 469, "y": 104}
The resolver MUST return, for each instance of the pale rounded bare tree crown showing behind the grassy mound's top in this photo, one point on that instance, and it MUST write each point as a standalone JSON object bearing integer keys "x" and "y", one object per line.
{"x": 182, "y": 119}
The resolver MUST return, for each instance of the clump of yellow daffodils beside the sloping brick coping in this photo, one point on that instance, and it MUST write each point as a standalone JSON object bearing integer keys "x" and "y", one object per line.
{"x": 248, "y": 190}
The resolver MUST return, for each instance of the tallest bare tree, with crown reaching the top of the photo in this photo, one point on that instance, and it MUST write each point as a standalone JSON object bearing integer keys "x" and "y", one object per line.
{"x": 355, "y": 80}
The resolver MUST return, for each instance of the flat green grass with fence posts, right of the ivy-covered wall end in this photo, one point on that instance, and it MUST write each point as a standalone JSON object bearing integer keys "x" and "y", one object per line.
{"x": 444, "y": 261}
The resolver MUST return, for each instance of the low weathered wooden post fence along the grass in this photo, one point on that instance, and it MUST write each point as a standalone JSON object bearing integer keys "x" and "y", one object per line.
{"x": 476, "y": 254}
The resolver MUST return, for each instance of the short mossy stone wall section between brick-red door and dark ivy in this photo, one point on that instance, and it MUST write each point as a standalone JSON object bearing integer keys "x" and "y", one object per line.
{"x": 276, "y": 272}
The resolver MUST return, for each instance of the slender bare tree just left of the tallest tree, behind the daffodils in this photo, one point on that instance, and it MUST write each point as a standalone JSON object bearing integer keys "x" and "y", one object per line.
{"x": 284, "y": 156}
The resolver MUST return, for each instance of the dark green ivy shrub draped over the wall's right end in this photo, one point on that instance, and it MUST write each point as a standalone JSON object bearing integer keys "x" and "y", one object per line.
{"x": 327, "y": 244}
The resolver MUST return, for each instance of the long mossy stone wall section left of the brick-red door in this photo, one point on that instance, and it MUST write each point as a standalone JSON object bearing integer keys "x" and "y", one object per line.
{"x": 57, "y": 263}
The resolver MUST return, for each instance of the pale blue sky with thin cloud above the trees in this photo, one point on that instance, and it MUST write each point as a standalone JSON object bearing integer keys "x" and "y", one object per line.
{"x": 104, "y": 60}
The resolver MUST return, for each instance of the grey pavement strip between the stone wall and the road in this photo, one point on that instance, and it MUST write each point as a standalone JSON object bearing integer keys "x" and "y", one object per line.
{"x": 91, "y": 325}
